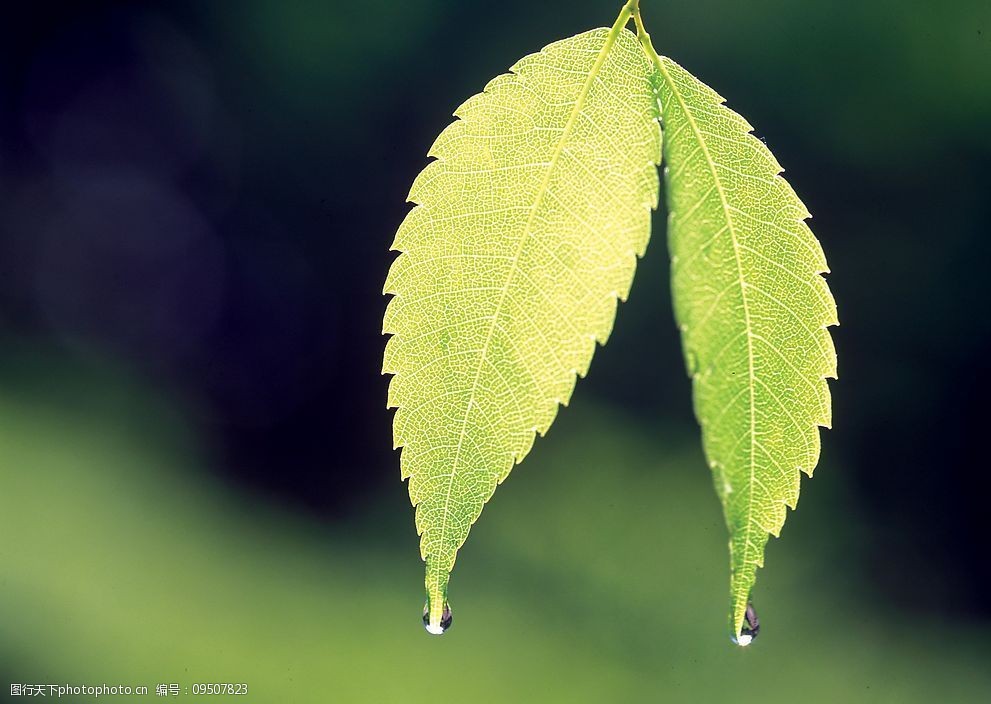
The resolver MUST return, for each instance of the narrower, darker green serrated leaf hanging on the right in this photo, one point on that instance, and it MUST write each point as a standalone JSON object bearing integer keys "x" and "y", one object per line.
{"x": 753, "y": 311}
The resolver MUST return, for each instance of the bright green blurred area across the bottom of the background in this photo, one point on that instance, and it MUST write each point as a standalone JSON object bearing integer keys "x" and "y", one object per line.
{"x": 597, "y": 575}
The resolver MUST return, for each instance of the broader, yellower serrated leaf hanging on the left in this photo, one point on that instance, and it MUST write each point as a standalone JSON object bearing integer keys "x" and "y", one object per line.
{"x": 526, "y": 232}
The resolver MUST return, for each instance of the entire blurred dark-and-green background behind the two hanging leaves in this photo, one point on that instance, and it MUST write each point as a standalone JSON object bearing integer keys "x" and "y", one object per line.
{"x": 196, "y": 205}
